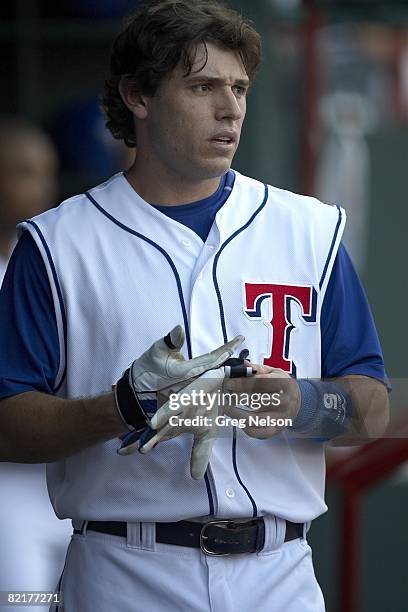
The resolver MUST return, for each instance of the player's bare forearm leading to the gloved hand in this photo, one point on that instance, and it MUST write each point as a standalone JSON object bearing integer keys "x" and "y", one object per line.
{"x": 40, "y": 428}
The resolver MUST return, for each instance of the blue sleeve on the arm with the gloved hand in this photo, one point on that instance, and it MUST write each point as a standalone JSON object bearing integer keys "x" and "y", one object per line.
{"x": 29, "y": 347}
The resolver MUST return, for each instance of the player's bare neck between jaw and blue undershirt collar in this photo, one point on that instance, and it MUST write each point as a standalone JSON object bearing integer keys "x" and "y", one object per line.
{"x": 164, "y": 188}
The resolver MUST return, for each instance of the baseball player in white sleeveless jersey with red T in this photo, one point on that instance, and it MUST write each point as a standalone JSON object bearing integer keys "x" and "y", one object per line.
{"x": 159, "y": 287}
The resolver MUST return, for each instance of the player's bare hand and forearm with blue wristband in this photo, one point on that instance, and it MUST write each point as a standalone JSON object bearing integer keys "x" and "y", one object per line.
{"x": 362, "y": 414}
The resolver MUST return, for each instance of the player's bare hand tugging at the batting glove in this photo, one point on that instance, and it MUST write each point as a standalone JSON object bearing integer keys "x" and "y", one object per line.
{"x": 284, "y": 402}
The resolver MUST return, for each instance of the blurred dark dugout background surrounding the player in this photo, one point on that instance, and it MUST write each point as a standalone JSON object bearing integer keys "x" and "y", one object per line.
{"x": 328, "y": 116}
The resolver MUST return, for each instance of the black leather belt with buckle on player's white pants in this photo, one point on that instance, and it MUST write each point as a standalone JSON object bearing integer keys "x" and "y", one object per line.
{"x": 217, "y": 537}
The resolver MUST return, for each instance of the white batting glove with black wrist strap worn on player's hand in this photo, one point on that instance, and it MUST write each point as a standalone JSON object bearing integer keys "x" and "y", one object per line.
{"x": 160, "y": 371}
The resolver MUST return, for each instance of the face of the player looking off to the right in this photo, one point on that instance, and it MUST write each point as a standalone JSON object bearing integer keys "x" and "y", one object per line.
{"x": 194, "y": 122}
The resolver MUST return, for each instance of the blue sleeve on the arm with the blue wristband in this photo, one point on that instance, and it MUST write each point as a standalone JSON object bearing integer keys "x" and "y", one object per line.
{"x": 350, "y": 343}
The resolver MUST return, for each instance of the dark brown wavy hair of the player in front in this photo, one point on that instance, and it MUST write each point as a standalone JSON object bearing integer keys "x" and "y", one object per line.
{"x": 159, "y": 35}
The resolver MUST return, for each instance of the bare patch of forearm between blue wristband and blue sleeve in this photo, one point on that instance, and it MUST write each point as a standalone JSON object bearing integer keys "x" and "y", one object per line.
{"x": 370, "y": 410}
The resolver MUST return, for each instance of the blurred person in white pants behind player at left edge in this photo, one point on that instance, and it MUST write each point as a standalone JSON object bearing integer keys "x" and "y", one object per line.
{"x": 33, "y": 540}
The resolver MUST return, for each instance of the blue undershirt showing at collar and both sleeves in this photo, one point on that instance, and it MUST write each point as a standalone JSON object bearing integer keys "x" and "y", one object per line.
{"x": 29, "y": 347}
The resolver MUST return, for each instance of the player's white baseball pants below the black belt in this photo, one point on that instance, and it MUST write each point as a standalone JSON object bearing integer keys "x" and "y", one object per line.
{"x": 109, "y": 573}
